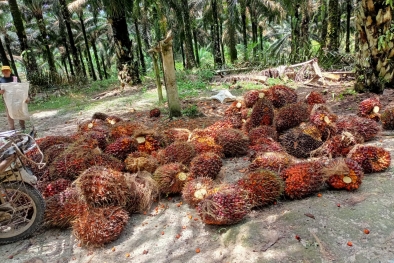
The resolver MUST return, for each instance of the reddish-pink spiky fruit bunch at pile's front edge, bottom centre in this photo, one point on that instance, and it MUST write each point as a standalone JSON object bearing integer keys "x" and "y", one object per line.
{"x": 229, "y": 205}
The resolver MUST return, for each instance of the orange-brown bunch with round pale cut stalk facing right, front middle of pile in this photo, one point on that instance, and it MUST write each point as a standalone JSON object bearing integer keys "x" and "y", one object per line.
{"x": 171, "y": 177}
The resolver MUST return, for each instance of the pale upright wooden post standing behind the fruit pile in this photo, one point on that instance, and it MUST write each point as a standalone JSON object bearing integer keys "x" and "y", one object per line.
{"x": 174, "y": 104}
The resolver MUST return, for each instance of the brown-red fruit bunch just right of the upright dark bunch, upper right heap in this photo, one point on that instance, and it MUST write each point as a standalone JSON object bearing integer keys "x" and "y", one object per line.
{"x": 291, "y": 116}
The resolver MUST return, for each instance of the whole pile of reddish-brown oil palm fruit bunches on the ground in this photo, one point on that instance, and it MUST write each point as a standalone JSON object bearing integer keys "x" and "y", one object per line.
{"x": 110, "y": 168}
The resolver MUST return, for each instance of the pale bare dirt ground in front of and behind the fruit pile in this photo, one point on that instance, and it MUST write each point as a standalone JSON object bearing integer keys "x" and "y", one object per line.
{"x": 323, "y": 224}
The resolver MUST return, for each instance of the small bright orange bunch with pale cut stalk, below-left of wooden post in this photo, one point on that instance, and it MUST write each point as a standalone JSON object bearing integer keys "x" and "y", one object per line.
{"x": 149, "y": 140}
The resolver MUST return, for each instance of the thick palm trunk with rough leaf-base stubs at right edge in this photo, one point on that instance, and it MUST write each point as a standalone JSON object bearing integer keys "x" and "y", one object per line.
{"x": 374, "y": 70}
